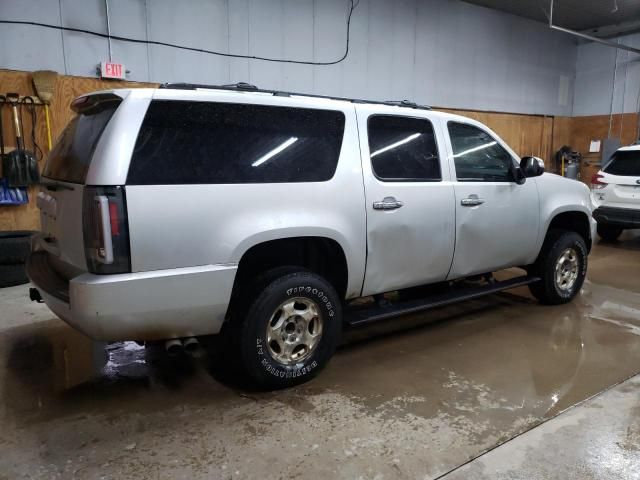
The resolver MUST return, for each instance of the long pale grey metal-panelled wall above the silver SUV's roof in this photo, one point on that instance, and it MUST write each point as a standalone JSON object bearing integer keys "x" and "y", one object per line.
{"x": 439, "y": 52}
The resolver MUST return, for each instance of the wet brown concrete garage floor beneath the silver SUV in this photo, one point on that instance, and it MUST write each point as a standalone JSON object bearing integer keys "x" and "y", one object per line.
{"x": 423, "y": 397}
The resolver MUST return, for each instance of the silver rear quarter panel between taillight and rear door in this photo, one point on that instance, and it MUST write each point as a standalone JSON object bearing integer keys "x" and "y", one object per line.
{"x": 174, "y": 226}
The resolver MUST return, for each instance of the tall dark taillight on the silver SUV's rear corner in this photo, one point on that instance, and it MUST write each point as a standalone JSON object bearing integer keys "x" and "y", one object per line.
{"x": 106, "y": 232}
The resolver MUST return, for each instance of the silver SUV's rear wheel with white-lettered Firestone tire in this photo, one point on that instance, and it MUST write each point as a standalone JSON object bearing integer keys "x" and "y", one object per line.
{"x": 298, "y": 344}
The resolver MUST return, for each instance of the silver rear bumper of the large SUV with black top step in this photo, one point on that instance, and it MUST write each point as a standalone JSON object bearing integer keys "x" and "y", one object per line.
{"x": 152, "y": 305}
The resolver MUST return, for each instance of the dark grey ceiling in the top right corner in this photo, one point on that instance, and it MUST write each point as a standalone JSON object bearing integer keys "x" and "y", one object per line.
{"x": 601, "y": 18}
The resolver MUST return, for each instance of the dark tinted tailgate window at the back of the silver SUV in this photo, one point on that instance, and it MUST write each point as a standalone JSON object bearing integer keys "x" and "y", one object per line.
{"x": 70, "y": 159}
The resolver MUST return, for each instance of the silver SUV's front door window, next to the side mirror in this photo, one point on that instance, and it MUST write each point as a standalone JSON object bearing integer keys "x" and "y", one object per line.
{"x": 477, "y": 155}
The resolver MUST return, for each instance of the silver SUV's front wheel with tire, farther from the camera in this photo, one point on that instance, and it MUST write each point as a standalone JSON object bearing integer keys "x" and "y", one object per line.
{"x": 551, "y": 289}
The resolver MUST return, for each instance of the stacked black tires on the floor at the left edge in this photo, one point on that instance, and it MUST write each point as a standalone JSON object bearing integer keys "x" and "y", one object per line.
{"x": 14, "y": 250}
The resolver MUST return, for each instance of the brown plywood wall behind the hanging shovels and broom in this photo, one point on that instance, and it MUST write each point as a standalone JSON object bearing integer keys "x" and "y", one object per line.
{"x": 25, "y": 217}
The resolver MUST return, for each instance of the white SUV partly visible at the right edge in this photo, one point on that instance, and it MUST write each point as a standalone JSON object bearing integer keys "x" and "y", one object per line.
{"x": 615, "y": 193}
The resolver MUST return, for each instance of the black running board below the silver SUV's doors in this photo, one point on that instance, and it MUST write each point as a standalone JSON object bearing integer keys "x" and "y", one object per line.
{"x": 356, "y": 316}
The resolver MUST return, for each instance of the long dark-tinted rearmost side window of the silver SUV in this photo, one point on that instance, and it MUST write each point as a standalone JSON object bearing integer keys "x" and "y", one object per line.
{"x": 203, "y": 142}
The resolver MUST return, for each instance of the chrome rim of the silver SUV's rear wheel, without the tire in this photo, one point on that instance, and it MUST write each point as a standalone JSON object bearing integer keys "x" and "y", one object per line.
{"x": 294, "y": 330}
